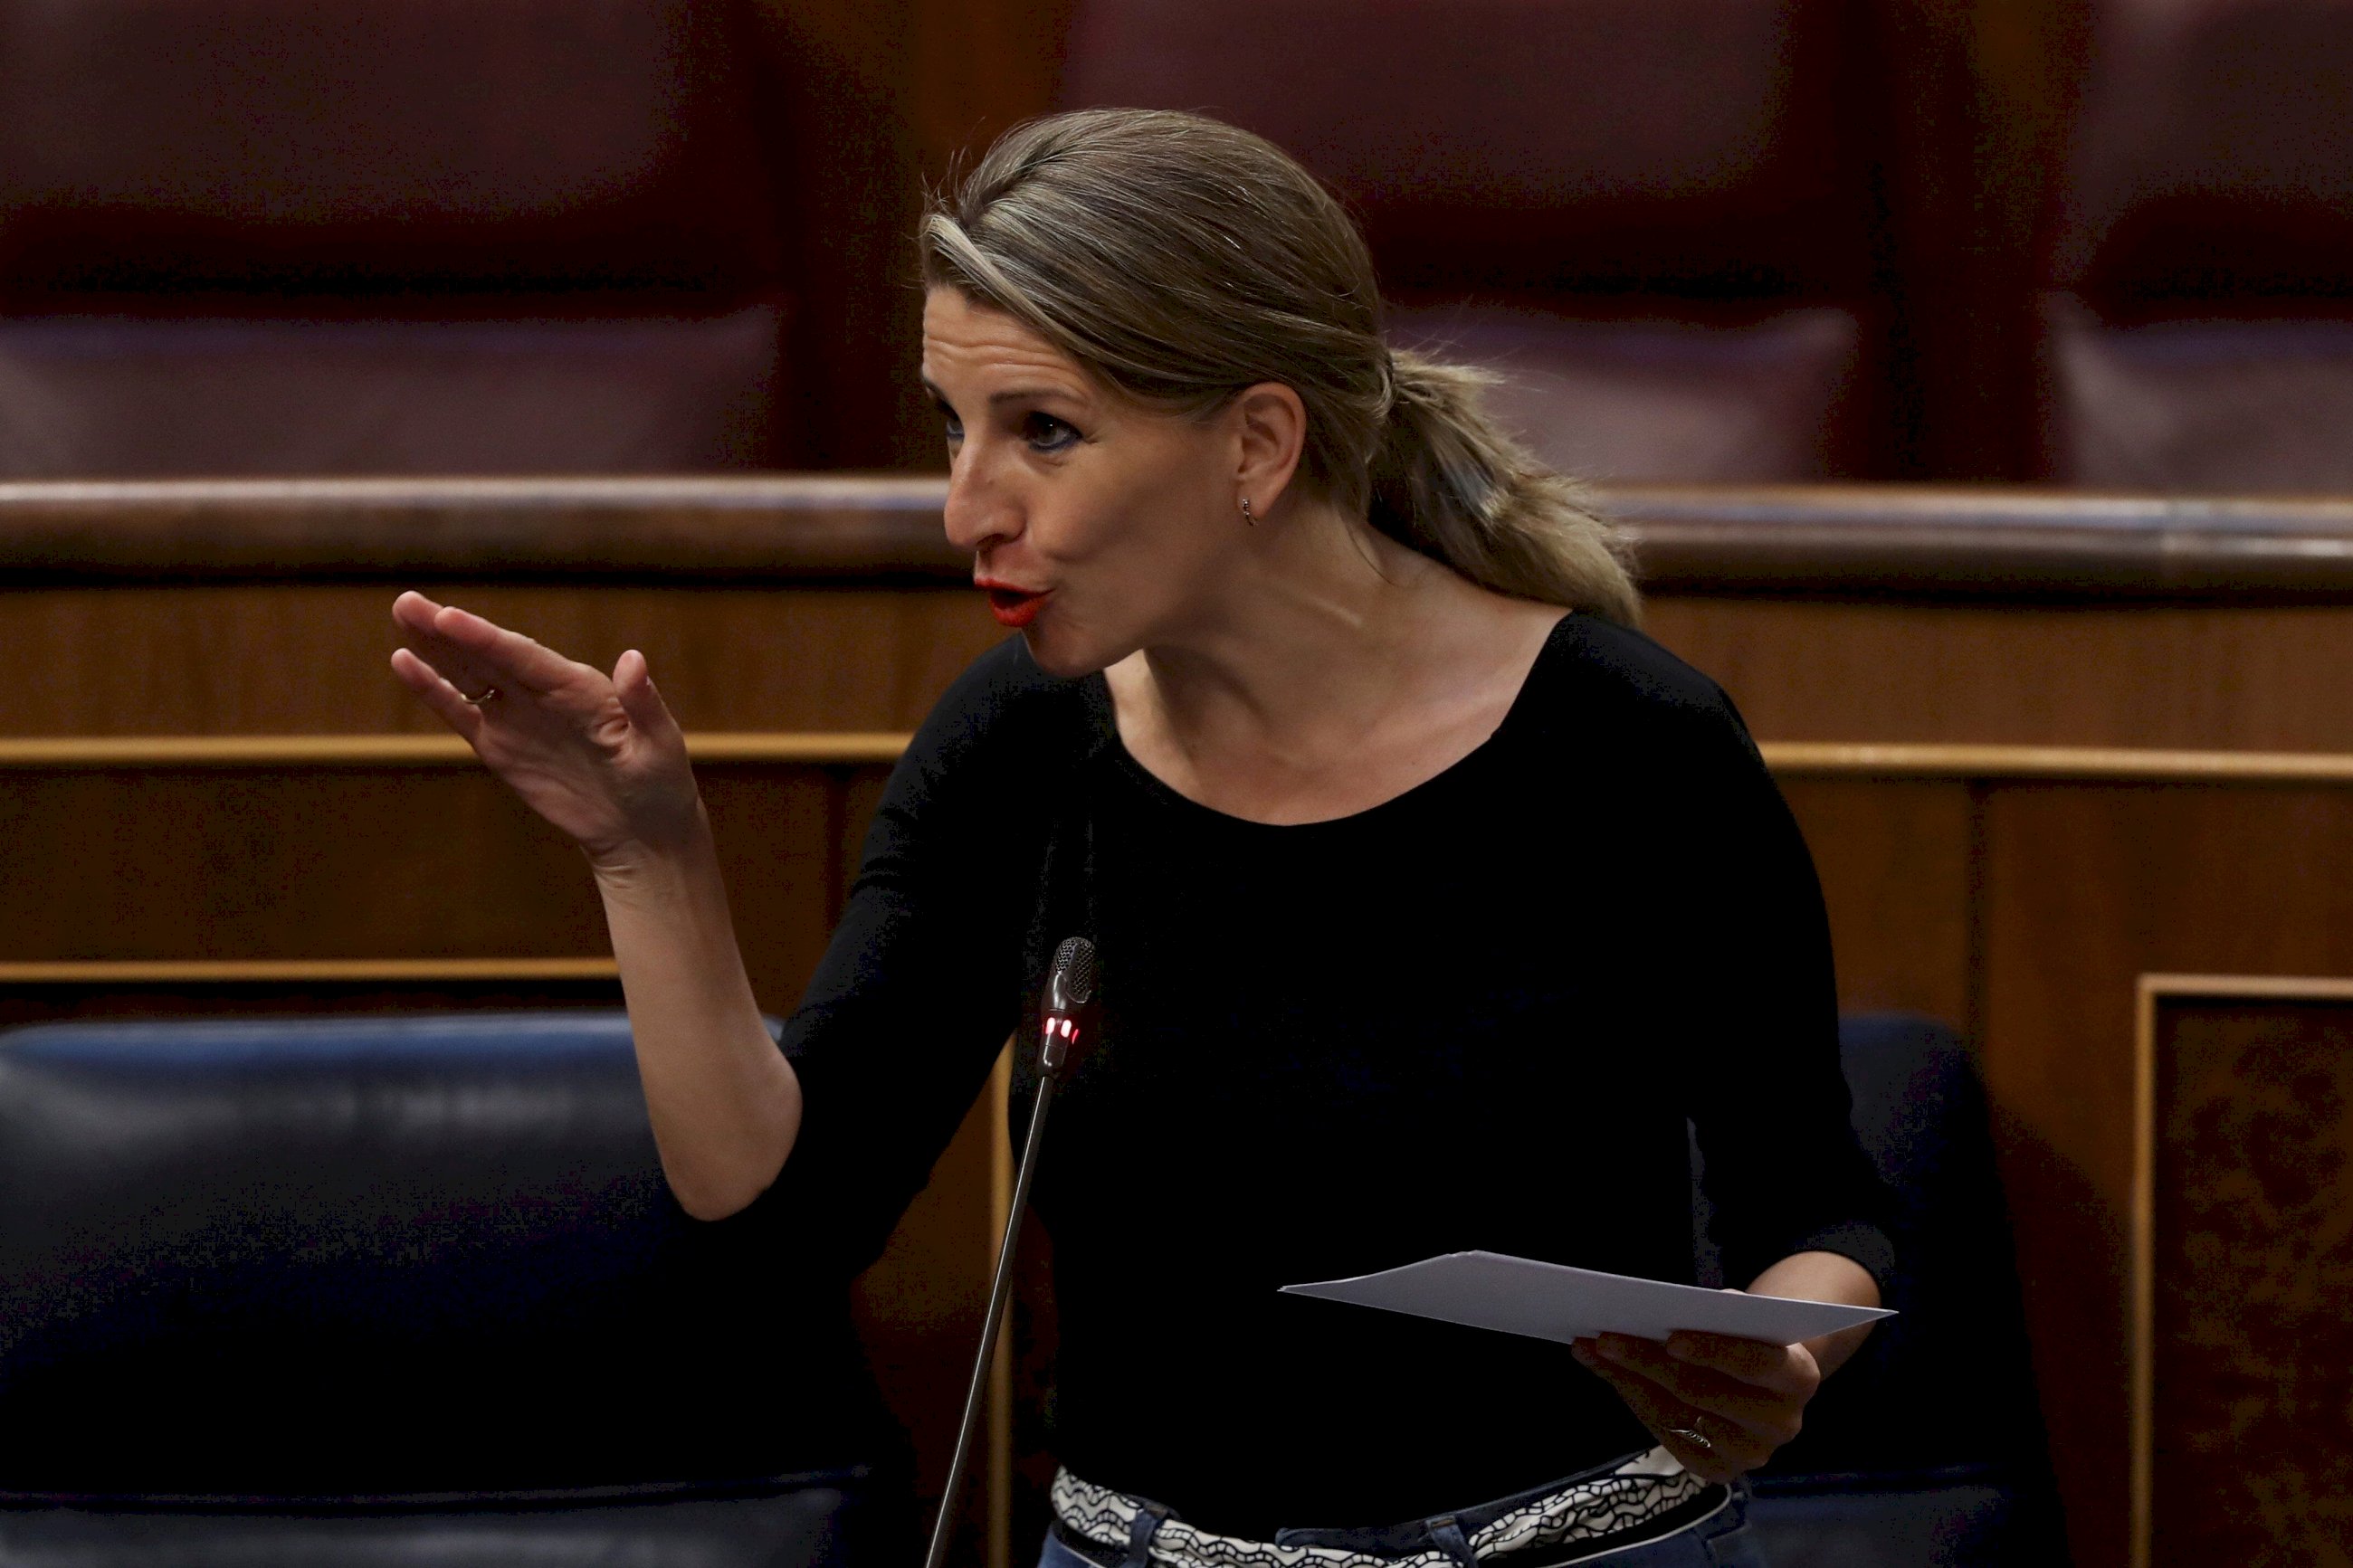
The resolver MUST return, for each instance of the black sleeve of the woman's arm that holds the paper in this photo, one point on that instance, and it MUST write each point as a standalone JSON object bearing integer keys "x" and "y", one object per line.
{"x": 1771, "y": 1101}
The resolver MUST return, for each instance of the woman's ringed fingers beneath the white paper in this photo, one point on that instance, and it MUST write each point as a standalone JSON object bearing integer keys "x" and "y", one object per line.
{"x": 1717, "y": 1402}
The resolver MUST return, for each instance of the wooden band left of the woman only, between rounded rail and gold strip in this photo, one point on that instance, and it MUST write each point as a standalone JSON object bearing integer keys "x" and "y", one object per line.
{"x": 253, "y": 659}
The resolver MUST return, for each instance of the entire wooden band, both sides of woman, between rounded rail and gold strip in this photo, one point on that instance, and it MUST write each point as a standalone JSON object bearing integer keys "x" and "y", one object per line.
{"x": 312, "y": 659}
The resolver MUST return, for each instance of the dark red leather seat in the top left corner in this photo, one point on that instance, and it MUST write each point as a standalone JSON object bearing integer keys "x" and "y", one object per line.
{"x": 385, "y": 236}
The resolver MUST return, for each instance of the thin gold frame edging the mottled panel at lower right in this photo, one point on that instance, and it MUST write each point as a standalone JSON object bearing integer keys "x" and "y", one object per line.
{"x": 2152, "y": 991}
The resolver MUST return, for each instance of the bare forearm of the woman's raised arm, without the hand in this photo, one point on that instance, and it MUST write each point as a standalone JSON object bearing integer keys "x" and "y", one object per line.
{"x": 724, "y": 1101}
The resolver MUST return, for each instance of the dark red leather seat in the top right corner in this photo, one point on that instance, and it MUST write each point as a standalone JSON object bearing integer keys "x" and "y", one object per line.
{"x": 2199, "y": 279}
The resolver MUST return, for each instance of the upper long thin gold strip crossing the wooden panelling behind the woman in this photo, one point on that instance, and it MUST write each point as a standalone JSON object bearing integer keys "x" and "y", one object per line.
{"x": 879, "y": 749}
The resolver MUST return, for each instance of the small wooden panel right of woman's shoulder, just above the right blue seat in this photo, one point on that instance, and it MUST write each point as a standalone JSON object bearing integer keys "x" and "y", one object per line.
{"x": 1895, "y": 862}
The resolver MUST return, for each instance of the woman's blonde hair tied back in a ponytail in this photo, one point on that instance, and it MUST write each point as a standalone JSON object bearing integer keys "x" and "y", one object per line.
{"x": 1182, "y": 260}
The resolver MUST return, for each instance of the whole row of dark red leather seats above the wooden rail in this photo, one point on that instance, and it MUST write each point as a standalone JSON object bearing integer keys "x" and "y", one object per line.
{"x": 2088, "y": 243}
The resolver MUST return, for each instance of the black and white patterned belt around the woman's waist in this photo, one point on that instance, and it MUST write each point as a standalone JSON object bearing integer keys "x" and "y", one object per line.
{"x": 1580, "y": 1513}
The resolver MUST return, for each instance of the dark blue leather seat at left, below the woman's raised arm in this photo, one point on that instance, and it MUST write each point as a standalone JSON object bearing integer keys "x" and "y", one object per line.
{"x": 399, "y": 1292}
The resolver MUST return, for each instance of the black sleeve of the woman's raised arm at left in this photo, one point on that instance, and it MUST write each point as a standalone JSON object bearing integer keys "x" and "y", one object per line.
{"x": 924, "y": 977}
